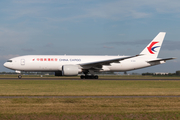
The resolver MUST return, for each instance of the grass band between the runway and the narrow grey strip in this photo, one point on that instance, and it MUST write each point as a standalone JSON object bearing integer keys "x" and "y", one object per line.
{"x": 88, "y": 87}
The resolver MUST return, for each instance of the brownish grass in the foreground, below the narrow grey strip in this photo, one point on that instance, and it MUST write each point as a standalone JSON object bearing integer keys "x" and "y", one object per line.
{"x": 90, "y": 108}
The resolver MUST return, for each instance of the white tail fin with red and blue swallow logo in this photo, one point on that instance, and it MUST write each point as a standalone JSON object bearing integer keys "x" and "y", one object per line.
{"x": 152, "y": 50}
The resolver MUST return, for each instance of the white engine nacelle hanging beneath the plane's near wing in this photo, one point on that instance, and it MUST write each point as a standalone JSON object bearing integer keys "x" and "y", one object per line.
{"x": 70, "y": 70}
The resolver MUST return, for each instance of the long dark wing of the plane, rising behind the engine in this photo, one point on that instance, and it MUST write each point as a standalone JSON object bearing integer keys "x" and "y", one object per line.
{"x": 106, "y": 62}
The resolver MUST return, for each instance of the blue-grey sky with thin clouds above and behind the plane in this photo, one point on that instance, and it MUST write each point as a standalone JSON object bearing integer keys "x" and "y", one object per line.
{"x": 89, "y": 27}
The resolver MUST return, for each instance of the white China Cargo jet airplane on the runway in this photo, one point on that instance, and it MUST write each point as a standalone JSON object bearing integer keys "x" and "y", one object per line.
{"x": 68, "y": 65}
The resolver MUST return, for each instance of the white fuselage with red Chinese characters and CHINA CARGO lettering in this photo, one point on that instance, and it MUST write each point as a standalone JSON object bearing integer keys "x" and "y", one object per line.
{"x": 55, "y": 62}
